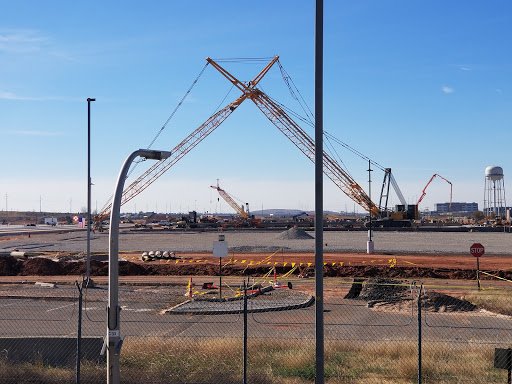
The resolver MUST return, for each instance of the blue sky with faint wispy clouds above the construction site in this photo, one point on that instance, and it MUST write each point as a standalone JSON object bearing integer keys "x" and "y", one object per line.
{"x": 422, "y": 87}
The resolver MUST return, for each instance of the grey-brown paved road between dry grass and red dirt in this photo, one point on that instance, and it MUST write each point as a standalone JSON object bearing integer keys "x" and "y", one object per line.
{"x": 53, "y": 312}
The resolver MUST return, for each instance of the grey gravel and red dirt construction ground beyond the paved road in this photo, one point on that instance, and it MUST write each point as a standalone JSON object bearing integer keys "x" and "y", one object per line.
{"x": 253, "y": 253}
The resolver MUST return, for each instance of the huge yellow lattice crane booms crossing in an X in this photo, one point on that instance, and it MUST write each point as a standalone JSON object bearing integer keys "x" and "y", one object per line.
{"x": 277, "y": 116}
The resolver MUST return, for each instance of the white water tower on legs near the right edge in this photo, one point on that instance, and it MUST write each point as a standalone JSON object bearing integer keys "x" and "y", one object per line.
{"x": 494, "y": 198}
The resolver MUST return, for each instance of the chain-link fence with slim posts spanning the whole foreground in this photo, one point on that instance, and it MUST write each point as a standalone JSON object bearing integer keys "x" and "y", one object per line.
{"x": 260, "y": 330}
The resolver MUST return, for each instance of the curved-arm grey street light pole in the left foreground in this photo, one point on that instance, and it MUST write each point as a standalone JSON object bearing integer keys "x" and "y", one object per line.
{"x": 114, "y": 340}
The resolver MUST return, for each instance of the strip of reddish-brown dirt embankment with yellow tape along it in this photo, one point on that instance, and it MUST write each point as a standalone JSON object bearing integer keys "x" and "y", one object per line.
{"x": 351, "y": 266}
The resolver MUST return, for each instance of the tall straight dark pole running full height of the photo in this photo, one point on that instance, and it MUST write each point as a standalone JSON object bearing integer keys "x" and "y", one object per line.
{"x": 319, "y": 152}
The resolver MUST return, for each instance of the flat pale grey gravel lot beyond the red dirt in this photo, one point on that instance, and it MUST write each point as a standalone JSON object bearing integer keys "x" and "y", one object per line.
{"x": 497, "y": 243}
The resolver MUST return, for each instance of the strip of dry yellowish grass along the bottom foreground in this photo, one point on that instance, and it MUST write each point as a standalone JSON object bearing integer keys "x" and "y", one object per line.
{"x": 278, "y": 362}
